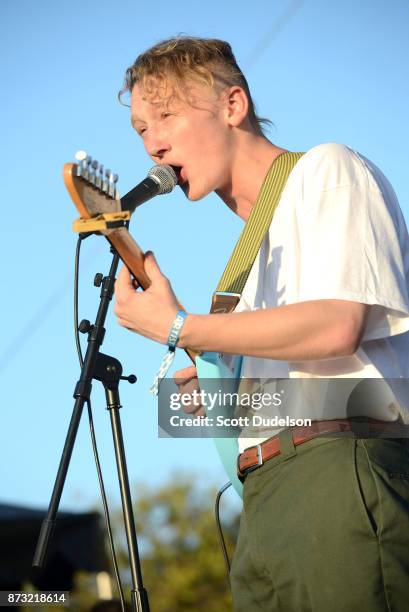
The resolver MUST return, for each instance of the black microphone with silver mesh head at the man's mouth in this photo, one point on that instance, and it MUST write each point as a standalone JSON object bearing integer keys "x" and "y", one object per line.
{"x": 160, "y": 179}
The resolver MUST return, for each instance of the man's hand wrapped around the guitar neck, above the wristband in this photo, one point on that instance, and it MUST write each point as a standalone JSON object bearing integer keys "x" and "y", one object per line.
{"x": 151, "y": 312}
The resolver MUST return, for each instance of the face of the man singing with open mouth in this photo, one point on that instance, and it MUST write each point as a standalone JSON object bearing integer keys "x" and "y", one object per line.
{"x": 191, "y": 133}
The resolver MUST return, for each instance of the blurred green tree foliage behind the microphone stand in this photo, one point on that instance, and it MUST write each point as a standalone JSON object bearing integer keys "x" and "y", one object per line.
{"x": 182, "y": 564}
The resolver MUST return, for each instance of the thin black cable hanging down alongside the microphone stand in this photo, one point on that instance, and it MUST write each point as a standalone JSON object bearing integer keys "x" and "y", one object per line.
{"x": 92, "y": 431}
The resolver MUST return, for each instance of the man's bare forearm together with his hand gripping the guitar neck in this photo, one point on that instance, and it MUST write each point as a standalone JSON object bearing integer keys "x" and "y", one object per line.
{"x": 312, "y": 330}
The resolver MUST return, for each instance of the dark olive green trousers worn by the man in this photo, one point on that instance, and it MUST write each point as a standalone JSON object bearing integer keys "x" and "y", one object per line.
{"x": 325, "y": 528}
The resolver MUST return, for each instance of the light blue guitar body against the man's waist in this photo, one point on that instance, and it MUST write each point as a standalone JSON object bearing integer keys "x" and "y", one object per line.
{"x": 214, "y": 375}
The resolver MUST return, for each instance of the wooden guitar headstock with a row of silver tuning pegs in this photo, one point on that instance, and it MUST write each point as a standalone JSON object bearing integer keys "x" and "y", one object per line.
{"x": 92, "y": 189}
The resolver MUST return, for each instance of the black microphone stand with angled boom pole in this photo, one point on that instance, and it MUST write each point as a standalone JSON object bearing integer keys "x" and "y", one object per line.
{"x": 108, "y": 370}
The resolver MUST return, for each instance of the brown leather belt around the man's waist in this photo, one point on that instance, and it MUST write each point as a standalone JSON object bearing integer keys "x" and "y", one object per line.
{"x": 255, "y": 456}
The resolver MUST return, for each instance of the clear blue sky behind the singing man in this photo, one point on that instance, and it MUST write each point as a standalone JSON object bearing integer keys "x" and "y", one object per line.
{"x": 321, "y": 71}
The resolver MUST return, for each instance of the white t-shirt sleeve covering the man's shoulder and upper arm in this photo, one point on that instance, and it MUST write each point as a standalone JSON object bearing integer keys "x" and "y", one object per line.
{"x": 353, "y": 239}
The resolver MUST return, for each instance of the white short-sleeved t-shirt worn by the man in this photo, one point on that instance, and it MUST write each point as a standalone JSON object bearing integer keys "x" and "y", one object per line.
{"x": 337, "y": 233}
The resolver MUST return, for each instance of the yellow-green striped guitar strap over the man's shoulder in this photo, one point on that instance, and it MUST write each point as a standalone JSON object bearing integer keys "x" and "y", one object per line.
{"x": 241, "y": 260}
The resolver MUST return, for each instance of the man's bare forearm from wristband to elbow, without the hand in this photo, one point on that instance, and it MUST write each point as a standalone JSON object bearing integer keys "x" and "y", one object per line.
{"x": 305, "y": 331}
